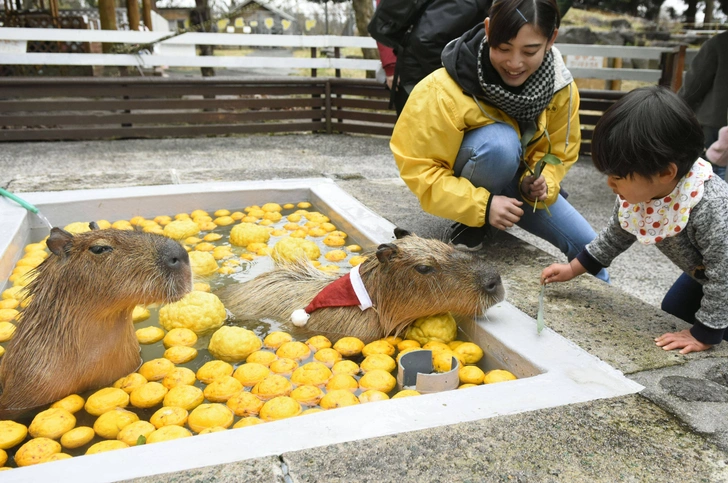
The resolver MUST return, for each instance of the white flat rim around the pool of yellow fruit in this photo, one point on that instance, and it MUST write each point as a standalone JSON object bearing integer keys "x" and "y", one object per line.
{"x": 570, "y": 375}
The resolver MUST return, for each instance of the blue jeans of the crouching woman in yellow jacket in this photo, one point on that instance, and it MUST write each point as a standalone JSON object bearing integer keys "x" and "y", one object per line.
{"x": 489, "y": 157}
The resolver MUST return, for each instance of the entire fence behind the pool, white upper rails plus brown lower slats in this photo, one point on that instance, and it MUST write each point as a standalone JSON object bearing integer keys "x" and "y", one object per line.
{"x": 38, "y": 108}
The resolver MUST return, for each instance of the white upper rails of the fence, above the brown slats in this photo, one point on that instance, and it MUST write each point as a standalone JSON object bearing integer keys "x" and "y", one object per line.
{"x": 179, "y": 51}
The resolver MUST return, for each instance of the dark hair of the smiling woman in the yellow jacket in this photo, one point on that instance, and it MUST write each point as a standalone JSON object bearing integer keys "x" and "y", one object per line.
{"x": 508, "y": 16}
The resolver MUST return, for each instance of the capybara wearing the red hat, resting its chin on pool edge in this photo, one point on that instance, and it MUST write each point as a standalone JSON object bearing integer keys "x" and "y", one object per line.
{"x": 408, "y": 278}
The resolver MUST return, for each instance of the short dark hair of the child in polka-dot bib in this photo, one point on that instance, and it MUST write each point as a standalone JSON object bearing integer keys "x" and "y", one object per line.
{"x": 644, "y": 132}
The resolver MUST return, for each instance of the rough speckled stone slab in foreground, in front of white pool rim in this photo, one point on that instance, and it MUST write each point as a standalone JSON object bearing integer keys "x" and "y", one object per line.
{"x": 625, "y": 439}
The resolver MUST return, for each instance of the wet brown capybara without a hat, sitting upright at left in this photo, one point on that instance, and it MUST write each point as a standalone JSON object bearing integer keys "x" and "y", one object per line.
{"x": 77, "y": 334}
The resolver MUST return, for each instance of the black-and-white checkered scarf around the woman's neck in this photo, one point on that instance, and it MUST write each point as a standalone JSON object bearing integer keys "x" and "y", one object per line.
{"x": 533, "y": 99}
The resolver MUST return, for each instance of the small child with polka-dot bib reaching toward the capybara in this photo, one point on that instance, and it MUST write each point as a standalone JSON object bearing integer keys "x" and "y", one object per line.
{"x": 648, "y": 145}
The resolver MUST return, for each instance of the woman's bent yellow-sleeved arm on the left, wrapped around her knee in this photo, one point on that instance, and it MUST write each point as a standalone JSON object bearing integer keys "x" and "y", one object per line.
{"x": 425, "y": 143}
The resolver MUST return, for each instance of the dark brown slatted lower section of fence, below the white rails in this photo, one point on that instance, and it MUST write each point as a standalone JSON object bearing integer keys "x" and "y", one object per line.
{"x": 49, "y": 109}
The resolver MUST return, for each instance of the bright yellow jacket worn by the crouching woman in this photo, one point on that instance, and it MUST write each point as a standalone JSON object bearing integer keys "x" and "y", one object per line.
{"x": 430, "y": 130}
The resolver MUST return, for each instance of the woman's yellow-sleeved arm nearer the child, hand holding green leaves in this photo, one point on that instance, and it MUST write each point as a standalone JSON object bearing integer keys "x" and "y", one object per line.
{"x": 562, "y": 122}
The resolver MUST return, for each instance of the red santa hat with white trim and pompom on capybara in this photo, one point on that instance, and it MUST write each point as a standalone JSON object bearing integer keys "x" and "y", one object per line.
{"x": 343, "y": 292}
